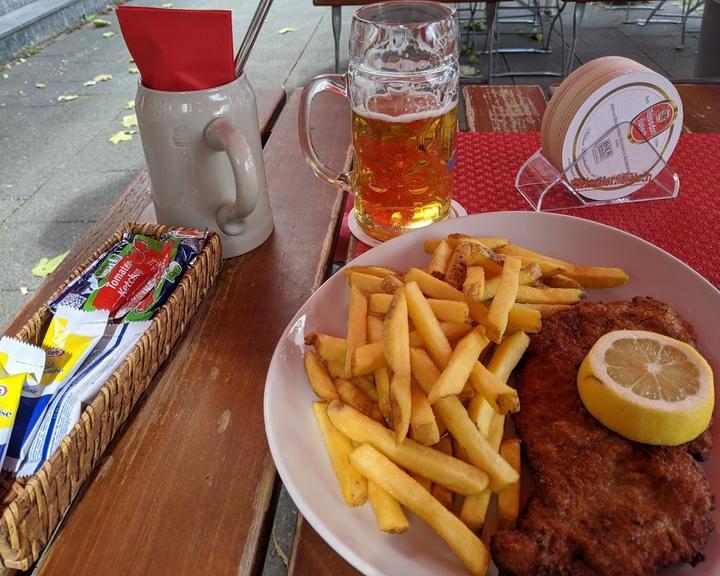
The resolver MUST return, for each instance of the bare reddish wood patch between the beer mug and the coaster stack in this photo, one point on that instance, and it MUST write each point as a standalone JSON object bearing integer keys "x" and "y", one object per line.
{"x": 504, "y": 108}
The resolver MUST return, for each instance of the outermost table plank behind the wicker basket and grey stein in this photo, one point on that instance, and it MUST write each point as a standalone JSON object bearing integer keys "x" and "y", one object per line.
{"x": 126, "y": 208}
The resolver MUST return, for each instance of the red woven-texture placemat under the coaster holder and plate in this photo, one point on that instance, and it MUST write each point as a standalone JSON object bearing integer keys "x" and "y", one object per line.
{"x": 687, "y": 226}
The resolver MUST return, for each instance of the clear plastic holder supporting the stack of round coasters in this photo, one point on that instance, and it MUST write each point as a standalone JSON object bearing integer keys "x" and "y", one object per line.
{"x": 548, "y": 189}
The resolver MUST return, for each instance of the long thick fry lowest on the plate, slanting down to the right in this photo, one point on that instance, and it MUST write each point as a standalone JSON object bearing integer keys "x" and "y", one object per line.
{"x": 466, "y": 545}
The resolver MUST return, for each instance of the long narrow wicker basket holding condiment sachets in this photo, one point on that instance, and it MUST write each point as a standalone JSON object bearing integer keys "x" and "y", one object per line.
{"x": 32, "y": 508}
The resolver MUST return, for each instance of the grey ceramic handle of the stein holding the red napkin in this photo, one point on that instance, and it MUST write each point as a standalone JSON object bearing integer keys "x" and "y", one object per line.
{"x": 221, "y": 134}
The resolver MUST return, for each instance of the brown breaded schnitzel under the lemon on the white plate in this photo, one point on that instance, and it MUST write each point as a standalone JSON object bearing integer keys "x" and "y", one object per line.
{"x": 600, "y": 504}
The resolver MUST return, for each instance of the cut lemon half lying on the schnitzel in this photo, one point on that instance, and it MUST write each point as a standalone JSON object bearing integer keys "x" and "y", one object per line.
{"x": 647, "y": 387}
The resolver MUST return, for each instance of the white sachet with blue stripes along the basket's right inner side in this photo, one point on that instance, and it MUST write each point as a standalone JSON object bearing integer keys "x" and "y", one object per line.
{"x": 65, "y": 408}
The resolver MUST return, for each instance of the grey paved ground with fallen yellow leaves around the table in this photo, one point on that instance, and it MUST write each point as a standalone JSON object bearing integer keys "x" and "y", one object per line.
{"x": 59, "y": 172}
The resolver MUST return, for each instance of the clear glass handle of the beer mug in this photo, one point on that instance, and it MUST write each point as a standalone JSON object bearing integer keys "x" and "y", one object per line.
{"x": 336, "y": 83}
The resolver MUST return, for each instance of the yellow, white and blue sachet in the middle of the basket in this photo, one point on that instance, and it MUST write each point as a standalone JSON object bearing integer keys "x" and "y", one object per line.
{"x": 69, "y": 339}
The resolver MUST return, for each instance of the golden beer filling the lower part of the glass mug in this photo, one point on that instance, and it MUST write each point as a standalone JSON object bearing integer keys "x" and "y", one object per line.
{"x": 403, "y": 167}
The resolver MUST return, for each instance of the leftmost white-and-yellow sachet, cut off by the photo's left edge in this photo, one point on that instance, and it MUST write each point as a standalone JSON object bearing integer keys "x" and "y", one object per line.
{"x": 20, "y": 363}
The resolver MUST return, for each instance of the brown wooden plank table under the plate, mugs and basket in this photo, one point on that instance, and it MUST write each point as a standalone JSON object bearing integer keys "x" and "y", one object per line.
{"x": 186, "y": 487}
